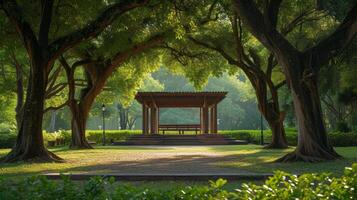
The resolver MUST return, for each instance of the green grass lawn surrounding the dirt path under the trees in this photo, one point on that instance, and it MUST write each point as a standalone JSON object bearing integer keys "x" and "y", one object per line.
{"x": 251, "y": 158}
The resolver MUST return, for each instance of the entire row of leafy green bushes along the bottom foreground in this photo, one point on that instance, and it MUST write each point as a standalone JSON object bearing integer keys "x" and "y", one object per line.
{"x": 279, "y": 187}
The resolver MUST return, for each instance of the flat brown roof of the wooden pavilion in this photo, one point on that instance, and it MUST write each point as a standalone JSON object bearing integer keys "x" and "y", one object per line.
{"x": 180, "y": 99}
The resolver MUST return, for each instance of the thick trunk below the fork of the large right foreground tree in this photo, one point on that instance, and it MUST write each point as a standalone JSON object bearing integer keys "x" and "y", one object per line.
{"x": 313, "y": 144}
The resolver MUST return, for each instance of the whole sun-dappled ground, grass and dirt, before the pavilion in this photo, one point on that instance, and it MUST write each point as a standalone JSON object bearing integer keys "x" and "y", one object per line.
{"x": 230, "y": 159}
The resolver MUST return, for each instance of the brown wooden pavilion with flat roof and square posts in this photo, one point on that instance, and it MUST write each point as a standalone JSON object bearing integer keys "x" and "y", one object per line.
{"x": 153, "y": 101}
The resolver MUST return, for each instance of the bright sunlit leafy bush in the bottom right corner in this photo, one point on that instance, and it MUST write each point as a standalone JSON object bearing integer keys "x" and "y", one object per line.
{"x": 307, "y": 186}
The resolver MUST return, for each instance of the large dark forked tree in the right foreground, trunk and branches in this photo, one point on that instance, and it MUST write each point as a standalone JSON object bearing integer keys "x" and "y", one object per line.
{"x": 301, "y": 71}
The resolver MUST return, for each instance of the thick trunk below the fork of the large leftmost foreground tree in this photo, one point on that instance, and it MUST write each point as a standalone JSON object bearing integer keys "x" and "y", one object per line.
{"x": 29, "y": 144}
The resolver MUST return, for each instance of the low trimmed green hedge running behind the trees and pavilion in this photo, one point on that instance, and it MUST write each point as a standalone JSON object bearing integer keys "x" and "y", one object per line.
{"x": 253, "y": 136}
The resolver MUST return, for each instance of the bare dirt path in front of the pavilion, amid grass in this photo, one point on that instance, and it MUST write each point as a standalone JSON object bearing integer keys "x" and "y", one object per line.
{"x": 194, "y": 161}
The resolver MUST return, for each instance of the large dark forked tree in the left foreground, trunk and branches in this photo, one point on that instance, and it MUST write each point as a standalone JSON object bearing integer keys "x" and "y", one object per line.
{"x": 43, "y": 48}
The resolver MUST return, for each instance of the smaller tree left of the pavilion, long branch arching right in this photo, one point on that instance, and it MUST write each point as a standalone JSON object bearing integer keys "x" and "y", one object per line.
{"x": 97, "y": 71}
